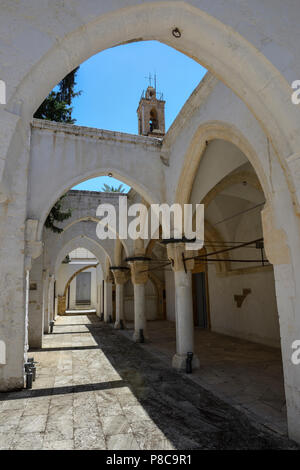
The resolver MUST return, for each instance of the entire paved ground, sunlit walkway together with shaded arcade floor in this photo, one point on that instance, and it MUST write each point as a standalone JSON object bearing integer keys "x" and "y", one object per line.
{"x": 96, "y": 389}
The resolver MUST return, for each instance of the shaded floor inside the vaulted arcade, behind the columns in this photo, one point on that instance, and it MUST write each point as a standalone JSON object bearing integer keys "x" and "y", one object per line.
{"x": 247, "y": 375}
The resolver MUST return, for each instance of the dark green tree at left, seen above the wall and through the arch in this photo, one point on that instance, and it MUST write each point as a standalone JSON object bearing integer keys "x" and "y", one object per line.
{"x": 57, "y": 107}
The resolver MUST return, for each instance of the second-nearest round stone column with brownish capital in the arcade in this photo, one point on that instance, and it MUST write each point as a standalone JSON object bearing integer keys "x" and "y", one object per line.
{"x": 139, "y": 277}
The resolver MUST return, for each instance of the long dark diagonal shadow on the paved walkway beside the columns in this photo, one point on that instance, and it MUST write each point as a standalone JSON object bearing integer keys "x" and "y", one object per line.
{"x": 188, "y": 415}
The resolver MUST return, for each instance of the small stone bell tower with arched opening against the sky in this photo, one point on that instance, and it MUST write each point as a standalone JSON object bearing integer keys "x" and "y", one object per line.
{"x": 151, "y": 113}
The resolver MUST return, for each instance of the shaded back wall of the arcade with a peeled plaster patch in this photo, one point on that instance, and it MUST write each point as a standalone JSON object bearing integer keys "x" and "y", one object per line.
{"x": 257, "y": 319}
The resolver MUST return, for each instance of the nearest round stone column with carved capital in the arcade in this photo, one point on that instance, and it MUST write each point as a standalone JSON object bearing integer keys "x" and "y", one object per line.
{"x": 183, "y": 305}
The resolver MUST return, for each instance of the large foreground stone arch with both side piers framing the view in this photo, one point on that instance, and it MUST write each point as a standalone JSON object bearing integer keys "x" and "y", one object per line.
{"x": 204, "y": 37}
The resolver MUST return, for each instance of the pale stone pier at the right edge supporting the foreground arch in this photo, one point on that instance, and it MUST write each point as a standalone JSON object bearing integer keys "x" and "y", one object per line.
{"x": 282, "y": 246}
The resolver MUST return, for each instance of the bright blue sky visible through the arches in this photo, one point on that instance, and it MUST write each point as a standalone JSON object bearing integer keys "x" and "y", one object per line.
{"x": 113, "y": 80}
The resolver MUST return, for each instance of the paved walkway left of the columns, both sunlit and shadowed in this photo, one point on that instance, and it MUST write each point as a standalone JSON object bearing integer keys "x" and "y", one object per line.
{"x": 95, "y": 389}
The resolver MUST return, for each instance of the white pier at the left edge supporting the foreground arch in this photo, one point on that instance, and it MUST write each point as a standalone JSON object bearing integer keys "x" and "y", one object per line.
{"x": 12, "y": 248}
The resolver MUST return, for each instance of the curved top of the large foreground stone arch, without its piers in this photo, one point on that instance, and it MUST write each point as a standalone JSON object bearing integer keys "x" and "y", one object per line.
{"x": 218, "y": 47}
